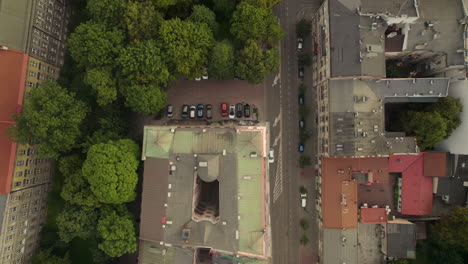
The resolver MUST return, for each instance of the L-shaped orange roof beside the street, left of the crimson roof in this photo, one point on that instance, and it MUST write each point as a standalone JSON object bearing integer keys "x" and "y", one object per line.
{"x": 339, "y": 190}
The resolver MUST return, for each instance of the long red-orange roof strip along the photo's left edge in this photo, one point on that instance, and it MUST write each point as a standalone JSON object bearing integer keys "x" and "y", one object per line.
{"x": 12, "y": 75}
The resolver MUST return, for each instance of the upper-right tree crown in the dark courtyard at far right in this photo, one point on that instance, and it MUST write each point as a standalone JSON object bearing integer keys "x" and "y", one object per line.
{"x": 449, "y": 108}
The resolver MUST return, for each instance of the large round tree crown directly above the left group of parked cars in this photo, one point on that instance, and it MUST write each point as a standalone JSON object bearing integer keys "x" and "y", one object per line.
{"x": 187, "y": 46}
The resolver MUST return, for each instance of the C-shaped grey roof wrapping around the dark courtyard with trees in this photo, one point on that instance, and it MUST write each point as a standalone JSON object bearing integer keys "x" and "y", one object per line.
{"x": 357, "y": 120}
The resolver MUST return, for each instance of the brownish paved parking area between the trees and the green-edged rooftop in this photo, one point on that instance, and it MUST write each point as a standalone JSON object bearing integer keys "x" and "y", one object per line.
{"x": 215, "y": 93}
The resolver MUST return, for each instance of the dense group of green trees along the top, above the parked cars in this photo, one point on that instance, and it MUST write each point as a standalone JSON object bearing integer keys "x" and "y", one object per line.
{"x": 134, "y": 49}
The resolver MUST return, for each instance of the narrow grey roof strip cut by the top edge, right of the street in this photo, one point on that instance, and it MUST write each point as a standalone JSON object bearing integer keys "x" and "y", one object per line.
{"x": 390, "y": 8}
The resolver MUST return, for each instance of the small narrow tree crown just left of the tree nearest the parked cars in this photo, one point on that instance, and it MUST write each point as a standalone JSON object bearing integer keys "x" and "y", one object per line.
{"x": 103, "y": 83}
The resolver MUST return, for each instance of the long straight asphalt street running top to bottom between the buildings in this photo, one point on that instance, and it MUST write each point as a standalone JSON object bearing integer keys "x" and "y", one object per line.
{"x": 281, "y": 96}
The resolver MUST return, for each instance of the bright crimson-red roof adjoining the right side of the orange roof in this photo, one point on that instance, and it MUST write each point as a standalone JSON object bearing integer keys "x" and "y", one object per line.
{"x": 416, "y": 196}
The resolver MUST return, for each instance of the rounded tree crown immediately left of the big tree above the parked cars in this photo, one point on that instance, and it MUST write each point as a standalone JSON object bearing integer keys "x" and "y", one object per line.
{"x": 144, "y": 63}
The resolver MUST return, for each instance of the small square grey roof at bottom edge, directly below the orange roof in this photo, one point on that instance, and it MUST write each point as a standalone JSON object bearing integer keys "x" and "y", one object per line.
{"x": 340, "y": 246}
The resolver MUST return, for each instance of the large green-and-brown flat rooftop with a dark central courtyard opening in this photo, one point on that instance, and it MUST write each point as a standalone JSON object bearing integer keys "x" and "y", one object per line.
{"x": 177, "y": 160}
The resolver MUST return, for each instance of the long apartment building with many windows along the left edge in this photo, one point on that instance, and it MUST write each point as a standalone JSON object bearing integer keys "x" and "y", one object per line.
{"x": 32, "y": 41}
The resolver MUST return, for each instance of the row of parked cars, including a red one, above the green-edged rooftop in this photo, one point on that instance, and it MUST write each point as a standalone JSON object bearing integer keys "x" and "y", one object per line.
{"x": 206, "y": 111}
